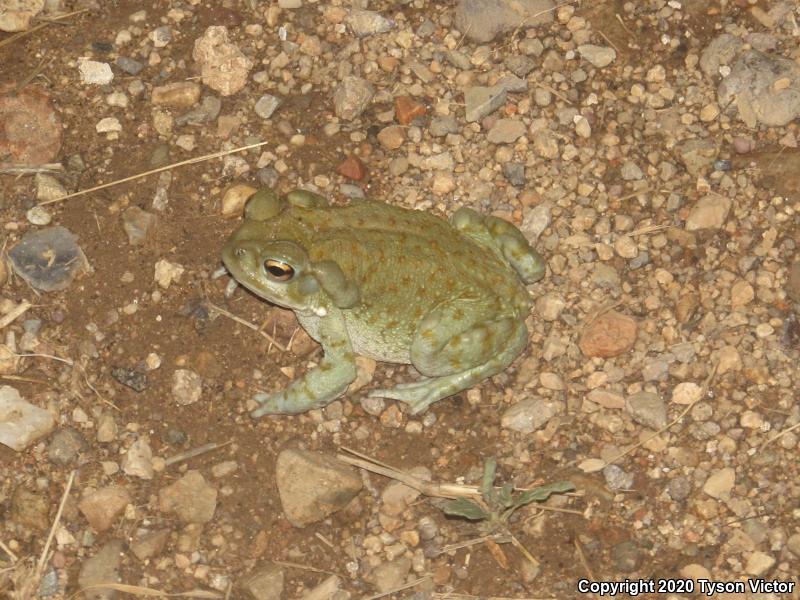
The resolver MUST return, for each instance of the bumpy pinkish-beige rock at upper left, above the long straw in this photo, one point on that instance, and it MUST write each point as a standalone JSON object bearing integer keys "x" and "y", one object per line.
{"x": 223, "y": 67}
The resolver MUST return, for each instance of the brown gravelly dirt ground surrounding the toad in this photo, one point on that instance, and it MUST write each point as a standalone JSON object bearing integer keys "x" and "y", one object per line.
{"x": 117, "y": 315}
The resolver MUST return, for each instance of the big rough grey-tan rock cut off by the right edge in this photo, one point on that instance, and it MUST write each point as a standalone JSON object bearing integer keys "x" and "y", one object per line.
{"x": 763, "y": 87}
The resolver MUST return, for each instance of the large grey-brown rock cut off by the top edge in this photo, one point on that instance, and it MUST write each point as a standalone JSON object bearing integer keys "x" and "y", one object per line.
{"x": 483, "y": 20}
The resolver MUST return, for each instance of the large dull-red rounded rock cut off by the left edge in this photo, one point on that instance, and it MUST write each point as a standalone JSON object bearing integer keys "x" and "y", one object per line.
{"x": 30, "y": 130}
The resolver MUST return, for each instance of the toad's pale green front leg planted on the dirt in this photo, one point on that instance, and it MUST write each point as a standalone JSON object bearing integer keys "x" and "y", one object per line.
{"x": 321, "y": 385}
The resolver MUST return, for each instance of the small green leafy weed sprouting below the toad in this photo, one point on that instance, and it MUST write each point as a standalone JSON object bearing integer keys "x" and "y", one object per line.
{"x": 497, "y": 504}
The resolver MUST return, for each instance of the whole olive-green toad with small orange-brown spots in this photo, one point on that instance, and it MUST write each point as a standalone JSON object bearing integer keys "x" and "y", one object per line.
{"x": 393, "y": 284}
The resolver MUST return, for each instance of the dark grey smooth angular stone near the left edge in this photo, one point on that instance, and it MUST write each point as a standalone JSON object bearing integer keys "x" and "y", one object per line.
{"x": 48, "y": 259}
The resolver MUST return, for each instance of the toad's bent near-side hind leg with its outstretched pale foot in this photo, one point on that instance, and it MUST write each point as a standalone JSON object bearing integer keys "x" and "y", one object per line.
{"x": 457, "y": 361}
